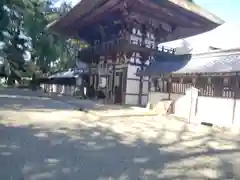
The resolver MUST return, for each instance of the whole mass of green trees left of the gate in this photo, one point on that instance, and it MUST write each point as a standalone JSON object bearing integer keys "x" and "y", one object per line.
{"x": 23, "y": 29}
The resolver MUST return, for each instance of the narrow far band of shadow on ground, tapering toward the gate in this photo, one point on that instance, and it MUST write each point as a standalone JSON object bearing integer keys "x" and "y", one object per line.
{"x": 20, "y": 99}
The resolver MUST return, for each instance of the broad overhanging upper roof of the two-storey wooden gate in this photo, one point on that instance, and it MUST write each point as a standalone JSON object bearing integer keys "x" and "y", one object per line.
{"x": 180, "y": 9}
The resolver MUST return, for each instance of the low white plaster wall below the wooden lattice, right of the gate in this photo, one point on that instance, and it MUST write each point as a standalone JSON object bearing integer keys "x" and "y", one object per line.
{"x": 218, "y": 111}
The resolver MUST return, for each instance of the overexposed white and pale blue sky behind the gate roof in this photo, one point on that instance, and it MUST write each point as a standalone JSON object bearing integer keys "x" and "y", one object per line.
{"x": 225, "y": 37}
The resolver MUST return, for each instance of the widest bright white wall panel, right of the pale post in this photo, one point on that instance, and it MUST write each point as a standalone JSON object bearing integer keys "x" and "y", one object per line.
{"x": 215, "y": 110}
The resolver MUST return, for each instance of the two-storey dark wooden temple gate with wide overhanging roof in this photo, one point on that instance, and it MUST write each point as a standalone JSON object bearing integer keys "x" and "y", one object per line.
{"x": 123, "y": 37}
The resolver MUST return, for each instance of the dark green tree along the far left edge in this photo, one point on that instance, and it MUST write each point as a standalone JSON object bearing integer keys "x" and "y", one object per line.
{"x": 14, "y": 43}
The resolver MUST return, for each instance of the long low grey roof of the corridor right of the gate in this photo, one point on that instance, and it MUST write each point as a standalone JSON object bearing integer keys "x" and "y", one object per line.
{"x": 205, "y": 63}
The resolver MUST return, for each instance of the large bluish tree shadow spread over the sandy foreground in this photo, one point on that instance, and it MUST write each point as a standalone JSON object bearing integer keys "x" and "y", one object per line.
{"x": 88, "y": 152}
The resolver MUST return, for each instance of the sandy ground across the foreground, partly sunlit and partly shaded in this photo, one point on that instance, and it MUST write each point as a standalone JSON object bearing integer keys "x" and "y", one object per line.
{"x": 67, "y": 144}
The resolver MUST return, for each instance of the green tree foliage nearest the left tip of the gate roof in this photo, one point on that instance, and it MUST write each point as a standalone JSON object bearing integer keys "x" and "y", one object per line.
{"x": 49, "y": 48}
